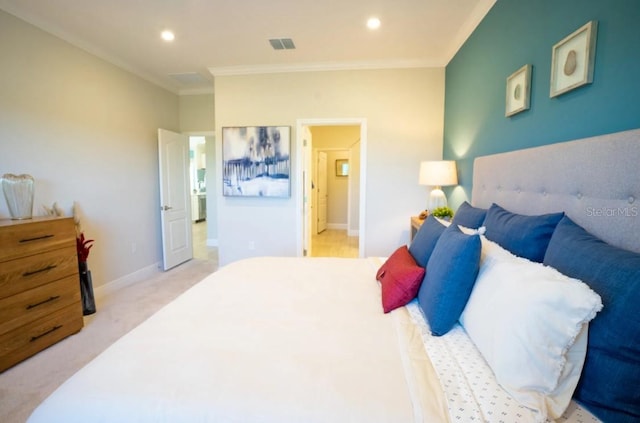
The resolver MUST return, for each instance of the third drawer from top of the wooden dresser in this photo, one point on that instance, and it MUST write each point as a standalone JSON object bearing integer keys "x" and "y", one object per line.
{"x": 27, "y": 306}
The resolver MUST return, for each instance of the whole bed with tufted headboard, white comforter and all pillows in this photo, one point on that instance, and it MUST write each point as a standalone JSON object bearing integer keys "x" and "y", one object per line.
{"x": 382, "y": 340}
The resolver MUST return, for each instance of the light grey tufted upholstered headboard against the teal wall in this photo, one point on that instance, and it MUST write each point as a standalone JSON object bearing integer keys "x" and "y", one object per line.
{"x": 595, "y": 181}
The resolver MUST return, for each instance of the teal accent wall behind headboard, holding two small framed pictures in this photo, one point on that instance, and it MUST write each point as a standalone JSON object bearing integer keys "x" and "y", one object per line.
{"x": 519, "y": 32}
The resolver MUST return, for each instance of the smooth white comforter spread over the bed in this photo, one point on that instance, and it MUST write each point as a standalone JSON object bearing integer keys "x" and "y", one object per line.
{"x": 263, "y": 340}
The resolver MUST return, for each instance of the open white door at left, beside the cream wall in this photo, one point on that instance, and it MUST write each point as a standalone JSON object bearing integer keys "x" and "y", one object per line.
{"x": 175, "y": 207}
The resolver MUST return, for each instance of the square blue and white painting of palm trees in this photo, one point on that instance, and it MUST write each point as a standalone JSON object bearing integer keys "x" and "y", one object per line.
{"x": 256, "y": 161}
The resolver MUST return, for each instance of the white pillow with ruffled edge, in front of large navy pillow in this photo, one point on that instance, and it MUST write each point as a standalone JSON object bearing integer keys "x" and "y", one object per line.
{"x": 529, "y": 321}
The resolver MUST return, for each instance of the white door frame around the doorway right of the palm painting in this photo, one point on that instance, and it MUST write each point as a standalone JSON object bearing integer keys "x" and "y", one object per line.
{"x": 303, "y": 172}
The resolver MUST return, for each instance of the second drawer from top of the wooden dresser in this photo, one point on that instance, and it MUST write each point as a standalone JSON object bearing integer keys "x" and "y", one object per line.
{"x": 29, "y": 272}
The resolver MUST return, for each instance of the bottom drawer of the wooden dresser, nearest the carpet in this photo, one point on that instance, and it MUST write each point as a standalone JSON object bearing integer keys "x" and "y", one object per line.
{"x": 27, "y": 340}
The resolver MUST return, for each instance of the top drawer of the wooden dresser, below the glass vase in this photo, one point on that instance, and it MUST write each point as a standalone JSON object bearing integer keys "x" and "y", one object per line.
{"x": 29, "y": 237}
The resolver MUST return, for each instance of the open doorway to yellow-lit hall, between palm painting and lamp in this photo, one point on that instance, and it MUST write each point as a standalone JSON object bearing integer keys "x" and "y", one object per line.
{"x": 332, "y": 212}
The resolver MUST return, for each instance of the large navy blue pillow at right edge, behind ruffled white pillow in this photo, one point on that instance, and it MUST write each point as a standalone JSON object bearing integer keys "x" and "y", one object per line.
{"x": 610, "y": 382}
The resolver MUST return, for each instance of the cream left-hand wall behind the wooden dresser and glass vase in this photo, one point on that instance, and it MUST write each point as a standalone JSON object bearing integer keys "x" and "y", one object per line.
{"x": 87, "y": 131}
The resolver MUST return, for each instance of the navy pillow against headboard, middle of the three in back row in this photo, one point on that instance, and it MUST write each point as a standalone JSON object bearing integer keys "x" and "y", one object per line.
{"x": 524, "y": 236}
